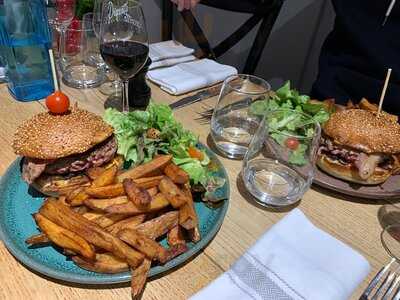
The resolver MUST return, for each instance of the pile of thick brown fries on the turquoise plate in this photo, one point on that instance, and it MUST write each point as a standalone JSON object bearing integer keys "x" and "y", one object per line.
{"x": 114, "y": 224}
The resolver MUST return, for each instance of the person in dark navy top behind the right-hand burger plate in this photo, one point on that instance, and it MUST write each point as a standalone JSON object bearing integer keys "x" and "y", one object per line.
{"x": 357, "y": 53}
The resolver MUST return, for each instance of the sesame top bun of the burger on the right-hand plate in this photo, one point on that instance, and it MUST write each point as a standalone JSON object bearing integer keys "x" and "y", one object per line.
{"x": 362, "y": 130}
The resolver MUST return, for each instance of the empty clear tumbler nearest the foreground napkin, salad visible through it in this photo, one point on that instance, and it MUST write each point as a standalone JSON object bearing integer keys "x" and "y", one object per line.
{"x": 279, "y": 166}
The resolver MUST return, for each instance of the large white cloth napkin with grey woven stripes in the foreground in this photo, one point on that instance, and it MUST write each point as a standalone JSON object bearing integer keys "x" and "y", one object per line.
{"x": 293, "y": 260}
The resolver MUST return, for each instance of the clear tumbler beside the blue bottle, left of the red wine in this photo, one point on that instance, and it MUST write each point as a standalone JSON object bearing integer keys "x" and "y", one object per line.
{"x": 80, "y": 69}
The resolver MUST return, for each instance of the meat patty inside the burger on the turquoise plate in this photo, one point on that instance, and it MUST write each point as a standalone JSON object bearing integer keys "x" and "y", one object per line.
{"x": 95, "y": 157}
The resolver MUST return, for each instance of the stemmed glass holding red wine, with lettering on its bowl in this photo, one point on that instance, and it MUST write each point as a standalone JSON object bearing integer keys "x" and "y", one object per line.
{"x": 124, "y": 42}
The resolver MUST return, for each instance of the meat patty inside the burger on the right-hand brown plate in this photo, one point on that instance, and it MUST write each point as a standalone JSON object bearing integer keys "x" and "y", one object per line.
{"x": 346, "y": 156}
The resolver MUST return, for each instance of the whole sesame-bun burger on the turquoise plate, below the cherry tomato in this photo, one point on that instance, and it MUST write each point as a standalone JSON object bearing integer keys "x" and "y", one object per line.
{"x": 57, "y": 149}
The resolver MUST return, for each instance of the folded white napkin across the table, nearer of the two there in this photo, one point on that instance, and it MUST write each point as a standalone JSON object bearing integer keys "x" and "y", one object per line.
{"x": 190, "y": 76}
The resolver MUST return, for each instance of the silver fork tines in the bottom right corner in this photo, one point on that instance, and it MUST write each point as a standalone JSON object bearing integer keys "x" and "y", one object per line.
{"x": 389, "y": 284}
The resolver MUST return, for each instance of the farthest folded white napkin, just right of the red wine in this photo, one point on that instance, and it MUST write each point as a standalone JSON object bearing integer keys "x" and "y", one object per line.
{"x": 168, "y": 49}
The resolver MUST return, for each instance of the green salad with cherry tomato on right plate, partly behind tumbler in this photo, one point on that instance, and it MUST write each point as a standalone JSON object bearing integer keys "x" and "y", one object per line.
{"x": 289, "y": 129}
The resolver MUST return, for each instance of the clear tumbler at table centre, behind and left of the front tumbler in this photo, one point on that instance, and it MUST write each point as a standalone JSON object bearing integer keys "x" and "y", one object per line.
{"x": 232, "y": 123}
